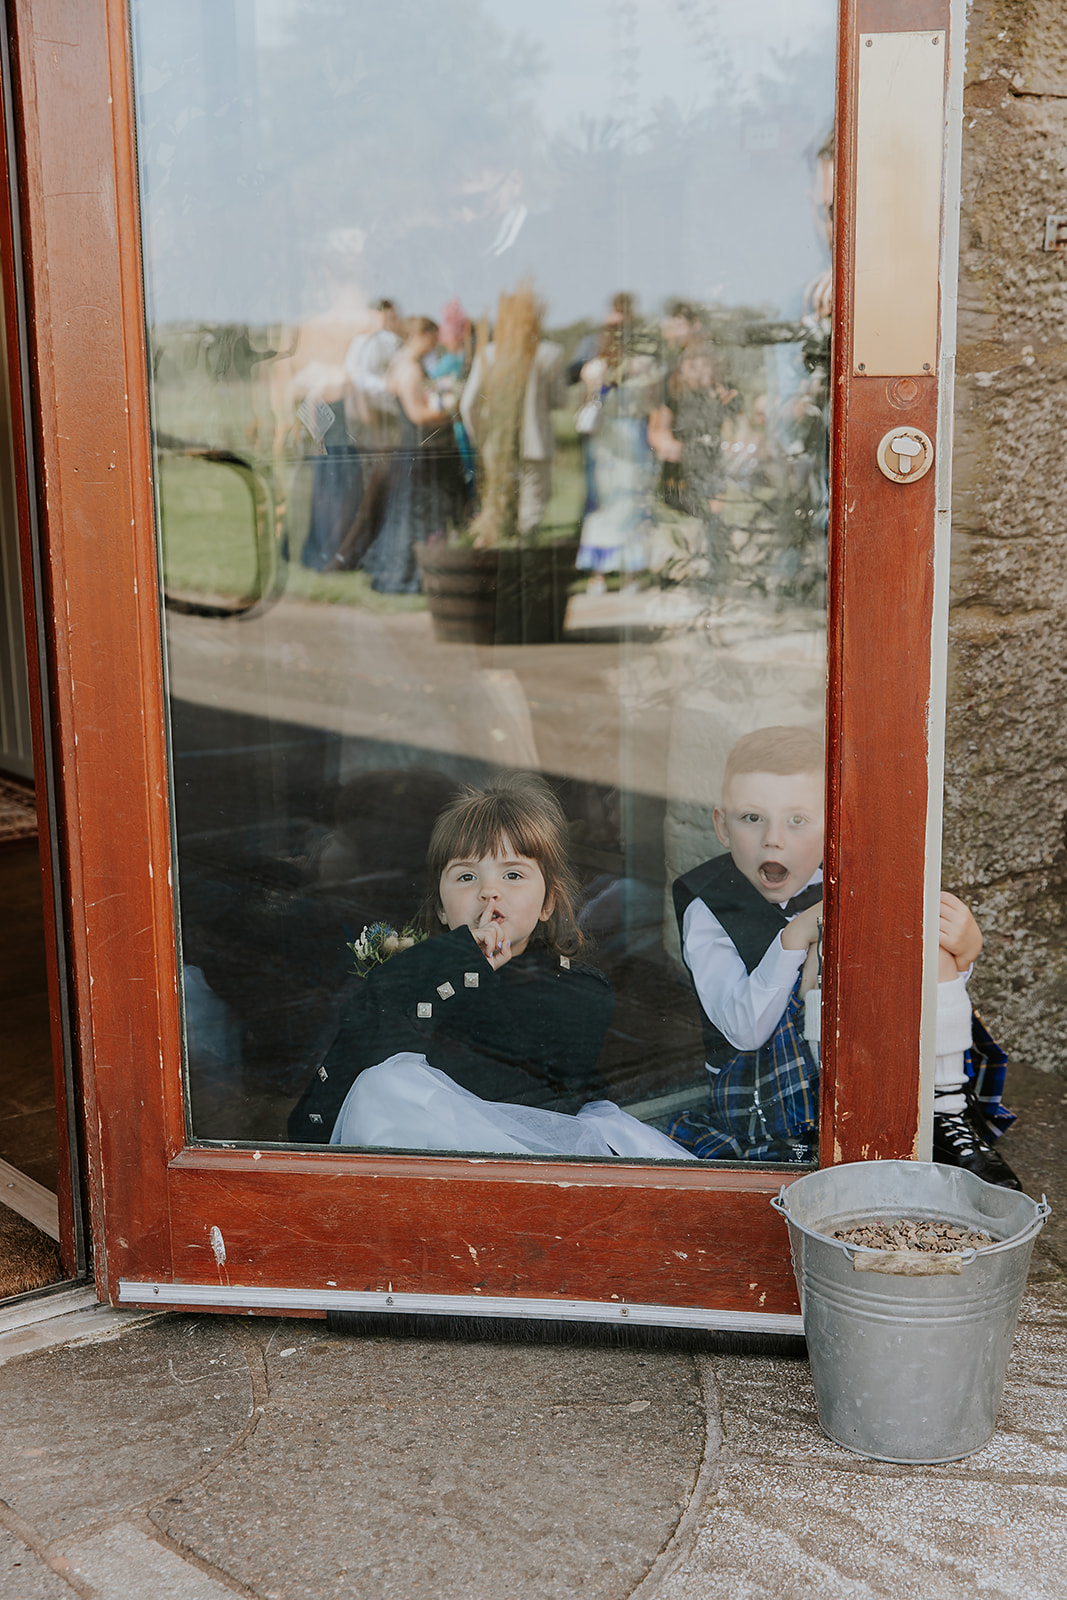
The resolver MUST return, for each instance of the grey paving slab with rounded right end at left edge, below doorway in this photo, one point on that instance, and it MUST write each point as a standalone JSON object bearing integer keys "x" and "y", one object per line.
{"x": 95, "y": 1428}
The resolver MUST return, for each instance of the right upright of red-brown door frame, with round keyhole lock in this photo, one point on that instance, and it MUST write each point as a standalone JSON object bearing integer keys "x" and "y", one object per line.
{"x": 882, "y": 542}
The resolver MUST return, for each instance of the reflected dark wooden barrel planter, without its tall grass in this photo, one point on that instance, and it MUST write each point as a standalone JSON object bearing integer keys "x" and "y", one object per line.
{"x": 498, "y": 598}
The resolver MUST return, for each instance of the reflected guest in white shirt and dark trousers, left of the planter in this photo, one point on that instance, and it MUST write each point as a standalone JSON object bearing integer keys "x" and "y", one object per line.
{"x": 374, "y": 422}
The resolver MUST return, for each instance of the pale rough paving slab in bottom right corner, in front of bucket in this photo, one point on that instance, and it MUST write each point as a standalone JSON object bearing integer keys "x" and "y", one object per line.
{"x": 791, "y": 1534}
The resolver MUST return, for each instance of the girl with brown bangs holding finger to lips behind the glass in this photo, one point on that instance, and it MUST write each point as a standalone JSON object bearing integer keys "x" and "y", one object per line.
{"x": 487, "y": 1036}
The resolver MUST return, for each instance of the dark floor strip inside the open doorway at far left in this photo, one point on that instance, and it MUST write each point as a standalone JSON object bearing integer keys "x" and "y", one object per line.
{"x": 28, "y": 1092}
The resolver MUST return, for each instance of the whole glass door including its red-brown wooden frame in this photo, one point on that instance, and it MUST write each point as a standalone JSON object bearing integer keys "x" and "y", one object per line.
{"x": 489, "y": 532}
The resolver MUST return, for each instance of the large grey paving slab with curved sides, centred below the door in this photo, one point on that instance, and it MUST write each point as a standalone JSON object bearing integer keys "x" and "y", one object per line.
{"x": 433, "y": 1471}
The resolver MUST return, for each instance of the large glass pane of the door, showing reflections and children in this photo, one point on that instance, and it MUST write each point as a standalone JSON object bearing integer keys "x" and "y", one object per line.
{"x": 490, "y": 422}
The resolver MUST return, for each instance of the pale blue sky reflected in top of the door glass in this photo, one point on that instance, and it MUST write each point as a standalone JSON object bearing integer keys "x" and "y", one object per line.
{"x": 271, "y": 193}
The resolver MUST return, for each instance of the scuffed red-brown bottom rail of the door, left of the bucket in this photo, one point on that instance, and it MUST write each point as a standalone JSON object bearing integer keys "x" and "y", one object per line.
{"x": 489, "y": 1228}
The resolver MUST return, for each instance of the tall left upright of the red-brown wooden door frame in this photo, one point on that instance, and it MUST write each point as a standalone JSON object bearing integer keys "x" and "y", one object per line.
{"x": 82, "y": 270}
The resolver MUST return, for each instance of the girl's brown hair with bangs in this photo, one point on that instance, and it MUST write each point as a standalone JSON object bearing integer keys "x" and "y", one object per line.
{"x": 518, "y": 809}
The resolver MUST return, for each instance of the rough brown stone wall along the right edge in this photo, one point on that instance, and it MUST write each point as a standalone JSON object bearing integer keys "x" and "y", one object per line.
{"x": 1007, "y": 750}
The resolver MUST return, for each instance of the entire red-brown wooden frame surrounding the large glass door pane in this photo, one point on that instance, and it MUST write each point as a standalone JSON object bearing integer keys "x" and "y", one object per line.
{"x": 201, "y": 1226}
